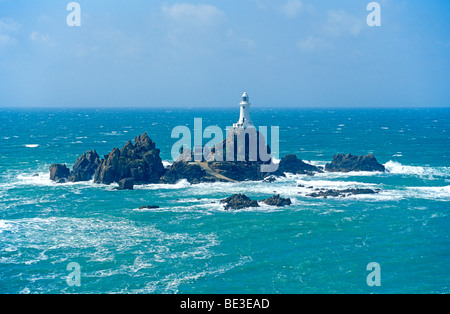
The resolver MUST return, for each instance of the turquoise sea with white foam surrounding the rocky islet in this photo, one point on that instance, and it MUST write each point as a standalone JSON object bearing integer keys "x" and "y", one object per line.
{"x": 190, "y": 244}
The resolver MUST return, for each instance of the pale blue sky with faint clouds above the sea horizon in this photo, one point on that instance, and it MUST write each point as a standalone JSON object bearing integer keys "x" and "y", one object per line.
{"x": 284, "y": 53}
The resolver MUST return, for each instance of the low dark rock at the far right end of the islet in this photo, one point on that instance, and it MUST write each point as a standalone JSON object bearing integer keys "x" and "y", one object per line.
{"x": 347, "y": 163}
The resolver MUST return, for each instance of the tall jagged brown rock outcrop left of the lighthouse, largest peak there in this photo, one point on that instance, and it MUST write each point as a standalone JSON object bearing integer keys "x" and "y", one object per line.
{"x": 140, "y": 161}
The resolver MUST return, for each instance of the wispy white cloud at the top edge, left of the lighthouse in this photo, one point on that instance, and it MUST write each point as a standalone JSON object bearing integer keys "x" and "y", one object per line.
{"x": 191, "y": 14}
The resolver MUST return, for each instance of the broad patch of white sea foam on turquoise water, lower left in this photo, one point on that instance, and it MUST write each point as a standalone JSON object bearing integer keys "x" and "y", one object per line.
{"x": 47, "y": 235}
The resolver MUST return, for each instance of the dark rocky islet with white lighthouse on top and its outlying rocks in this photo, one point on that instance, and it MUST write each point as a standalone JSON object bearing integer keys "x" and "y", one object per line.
{"x": 140, "y": 163}
